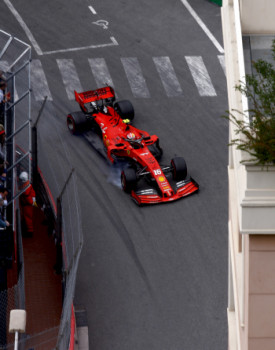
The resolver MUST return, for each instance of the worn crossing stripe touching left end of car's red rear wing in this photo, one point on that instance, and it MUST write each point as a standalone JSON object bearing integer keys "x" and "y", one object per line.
{"x": 69, "y": 77}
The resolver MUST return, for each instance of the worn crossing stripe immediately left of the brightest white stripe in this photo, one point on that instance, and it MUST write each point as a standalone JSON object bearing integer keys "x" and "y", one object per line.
{"x": 168, "y": 76}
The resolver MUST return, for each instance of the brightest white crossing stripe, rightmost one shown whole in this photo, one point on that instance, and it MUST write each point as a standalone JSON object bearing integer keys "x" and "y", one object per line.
{"x": 200, "y": 76}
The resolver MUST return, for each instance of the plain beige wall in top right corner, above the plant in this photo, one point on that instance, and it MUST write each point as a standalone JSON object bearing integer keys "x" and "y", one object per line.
{"x": 257, "y": 16}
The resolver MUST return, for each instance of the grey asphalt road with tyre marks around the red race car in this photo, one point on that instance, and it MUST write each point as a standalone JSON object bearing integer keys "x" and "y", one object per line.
{"x": 150, "y": 278}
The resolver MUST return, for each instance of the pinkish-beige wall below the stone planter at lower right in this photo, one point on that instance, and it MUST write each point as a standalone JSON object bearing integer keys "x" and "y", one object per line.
{"x": 261, "y": 294}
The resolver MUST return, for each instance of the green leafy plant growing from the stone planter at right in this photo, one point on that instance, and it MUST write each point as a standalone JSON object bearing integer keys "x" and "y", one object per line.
{"x": 257, "y": 137}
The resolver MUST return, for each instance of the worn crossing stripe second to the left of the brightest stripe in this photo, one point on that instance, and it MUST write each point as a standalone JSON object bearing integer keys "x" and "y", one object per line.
{"x": 136, "y": 80}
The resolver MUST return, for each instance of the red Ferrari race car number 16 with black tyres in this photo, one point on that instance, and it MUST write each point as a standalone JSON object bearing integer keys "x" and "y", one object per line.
{"x": 145, "y": 179}
